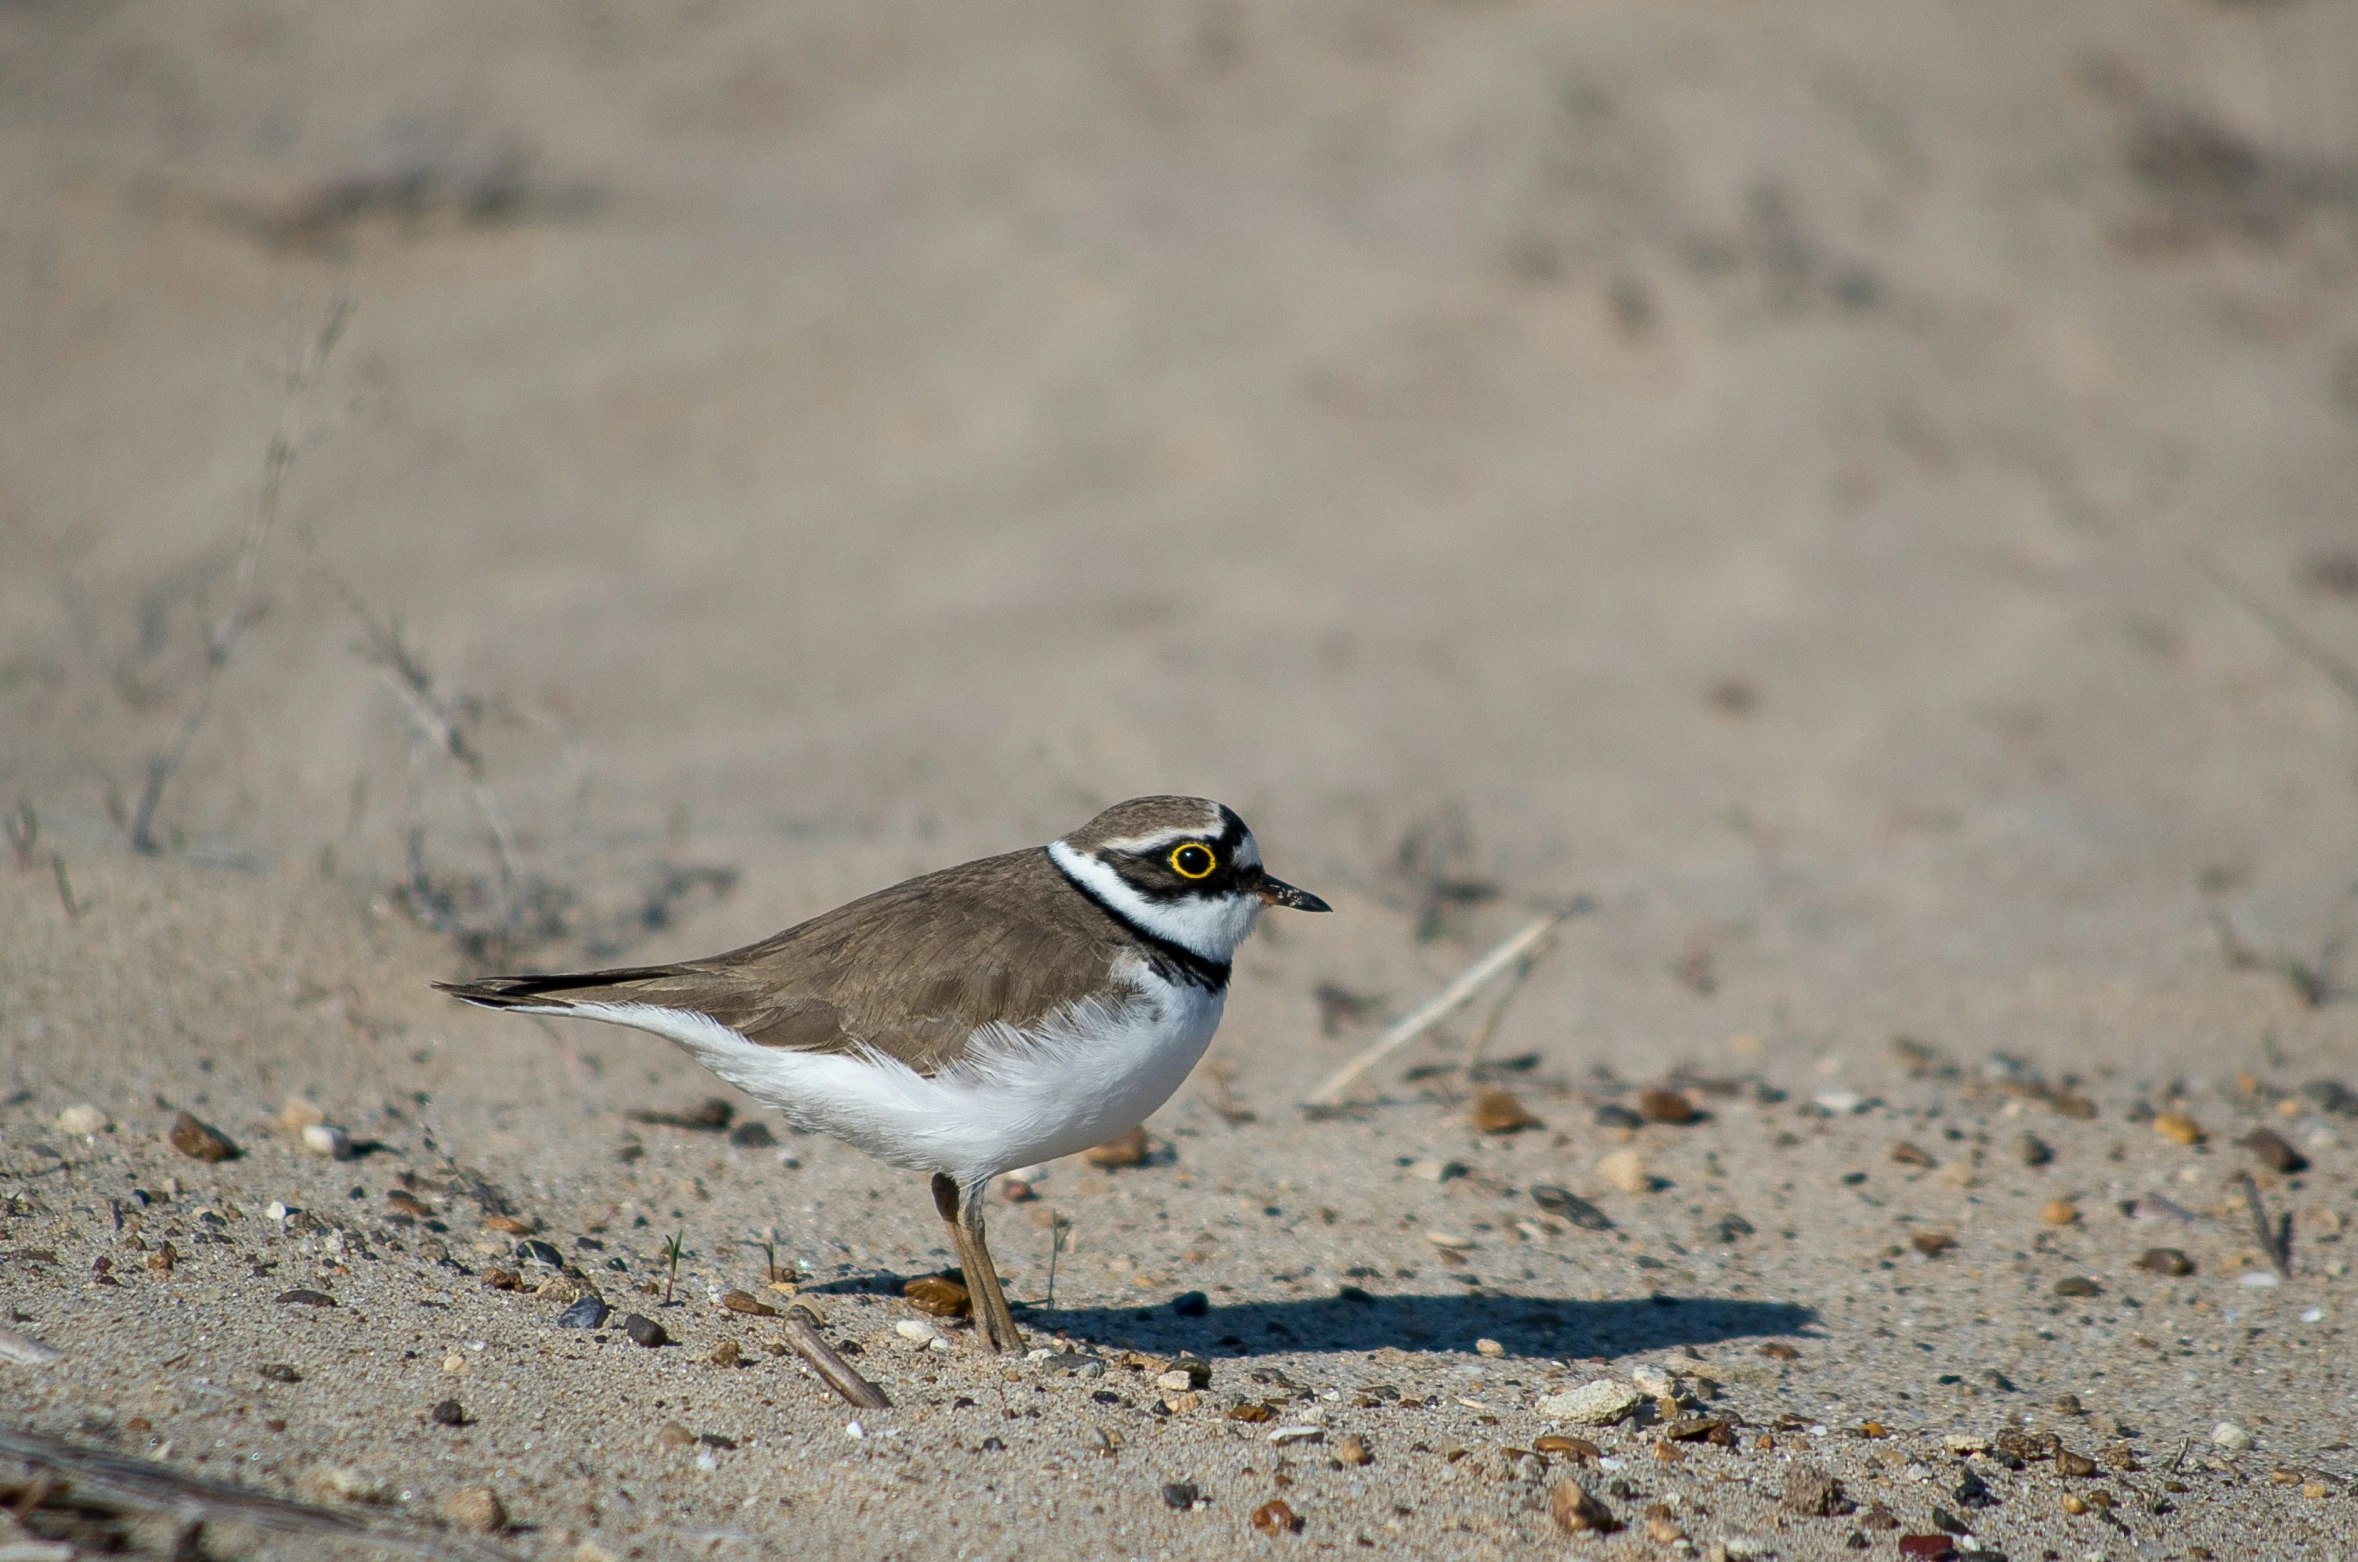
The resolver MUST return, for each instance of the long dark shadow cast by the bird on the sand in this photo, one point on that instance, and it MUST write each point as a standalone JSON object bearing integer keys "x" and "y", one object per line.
{"x": 1524, "y": 1325}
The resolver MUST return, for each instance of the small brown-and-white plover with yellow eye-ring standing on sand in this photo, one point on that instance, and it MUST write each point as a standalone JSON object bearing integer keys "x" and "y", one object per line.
{"x": 973, "y": 1020}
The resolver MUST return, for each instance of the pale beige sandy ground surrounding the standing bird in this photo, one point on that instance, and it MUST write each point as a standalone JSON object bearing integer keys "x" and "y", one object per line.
{"x": 1859, "y": 492}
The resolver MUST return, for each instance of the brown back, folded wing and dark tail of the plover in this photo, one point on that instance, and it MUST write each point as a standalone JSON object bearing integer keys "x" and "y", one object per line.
{"x": 907, "y": 971}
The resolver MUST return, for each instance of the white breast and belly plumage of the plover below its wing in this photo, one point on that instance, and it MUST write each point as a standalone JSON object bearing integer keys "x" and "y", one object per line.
{"x": 1017, "y": 1098}
